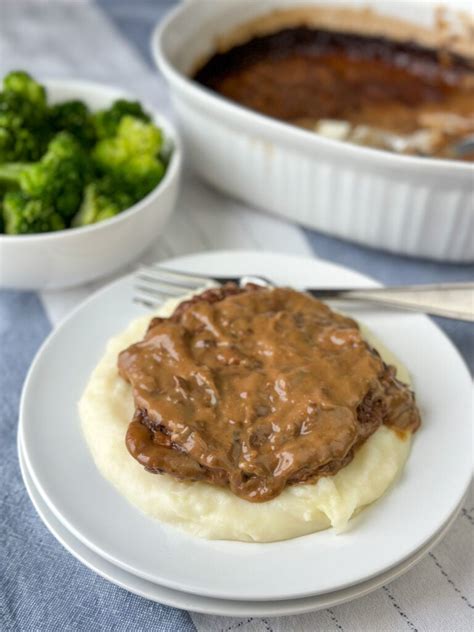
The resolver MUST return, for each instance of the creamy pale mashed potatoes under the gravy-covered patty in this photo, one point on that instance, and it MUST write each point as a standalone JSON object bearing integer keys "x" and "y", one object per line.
{"x": 106, "y": 409}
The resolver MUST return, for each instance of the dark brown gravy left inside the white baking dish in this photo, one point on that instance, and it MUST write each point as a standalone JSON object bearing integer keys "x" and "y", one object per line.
{"x": 302, "y": 75}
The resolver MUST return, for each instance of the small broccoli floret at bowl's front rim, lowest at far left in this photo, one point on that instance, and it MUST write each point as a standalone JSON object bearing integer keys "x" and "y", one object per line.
{"x": 23, "y": 215}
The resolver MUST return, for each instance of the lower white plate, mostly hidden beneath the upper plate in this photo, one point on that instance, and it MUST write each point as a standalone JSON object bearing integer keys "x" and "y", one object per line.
{"x": 209, "y": 605}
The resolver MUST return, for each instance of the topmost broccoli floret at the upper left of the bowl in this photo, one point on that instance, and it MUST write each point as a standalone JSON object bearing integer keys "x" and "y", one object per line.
{"x": 24, "y": 126}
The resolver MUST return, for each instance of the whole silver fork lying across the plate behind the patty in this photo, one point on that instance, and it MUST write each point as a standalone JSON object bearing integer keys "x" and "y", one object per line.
{"x": 154, "y": 284}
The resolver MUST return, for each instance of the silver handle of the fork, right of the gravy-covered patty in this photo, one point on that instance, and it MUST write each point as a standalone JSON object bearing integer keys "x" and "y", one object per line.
{"x": 451, "y": 300}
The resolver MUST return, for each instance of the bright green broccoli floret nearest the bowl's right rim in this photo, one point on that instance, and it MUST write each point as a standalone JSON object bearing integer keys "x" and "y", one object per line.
{"x": 132, "y": 156}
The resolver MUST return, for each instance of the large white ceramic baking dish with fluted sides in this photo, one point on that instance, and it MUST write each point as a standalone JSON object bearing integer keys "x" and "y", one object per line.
{"x": 417, "y": 206}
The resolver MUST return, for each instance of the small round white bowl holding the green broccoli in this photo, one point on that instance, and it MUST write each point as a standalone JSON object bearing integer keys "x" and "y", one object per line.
{"x": 76, "y": 255}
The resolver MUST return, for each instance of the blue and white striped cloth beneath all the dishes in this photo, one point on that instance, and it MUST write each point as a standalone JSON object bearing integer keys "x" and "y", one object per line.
{"x": 42, "y": 587}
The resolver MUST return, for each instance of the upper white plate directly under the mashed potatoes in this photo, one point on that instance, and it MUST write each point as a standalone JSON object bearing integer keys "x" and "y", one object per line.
{"x": 382, "y": 536}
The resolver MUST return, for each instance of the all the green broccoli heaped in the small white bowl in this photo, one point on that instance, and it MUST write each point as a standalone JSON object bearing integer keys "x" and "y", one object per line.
{"x": 63, "y": 166}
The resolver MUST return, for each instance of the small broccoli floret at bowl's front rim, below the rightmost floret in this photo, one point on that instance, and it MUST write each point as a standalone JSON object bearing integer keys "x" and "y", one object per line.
{"x": 103, "y": 199}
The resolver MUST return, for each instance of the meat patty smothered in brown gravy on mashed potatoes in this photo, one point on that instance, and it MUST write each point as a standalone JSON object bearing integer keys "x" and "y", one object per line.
{"x": 256, "y": 390}
